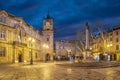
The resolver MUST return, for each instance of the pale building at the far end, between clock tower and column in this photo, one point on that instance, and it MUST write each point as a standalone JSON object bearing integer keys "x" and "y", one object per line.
{"x": 66, "y": 48}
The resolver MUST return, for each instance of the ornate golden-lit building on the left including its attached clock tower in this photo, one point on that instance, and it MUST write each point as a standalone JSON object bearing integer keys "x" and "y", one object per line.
{"x": 19, "y": 41}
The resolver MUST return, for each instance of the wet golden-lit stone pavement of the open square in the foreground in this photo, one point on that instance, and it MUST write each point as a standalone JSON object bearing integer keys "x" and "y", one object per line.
{"x": 50, "y": 71}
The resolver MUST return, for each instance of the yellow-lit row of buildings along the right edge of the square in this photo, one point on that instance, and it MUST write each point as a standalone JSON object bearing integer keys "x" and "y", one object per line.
{"x": 107, "y": 46}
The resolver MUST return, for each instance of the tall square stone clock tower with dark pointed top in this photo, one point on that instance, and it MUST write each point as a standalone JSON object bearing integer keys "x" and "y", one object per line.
{"x": 48, "y": 34}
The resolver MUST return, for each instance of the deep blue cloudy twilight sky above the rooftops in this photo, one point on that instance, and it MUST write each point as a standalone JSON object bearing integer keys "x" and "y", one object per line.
{"x": 69, "y": 15}
